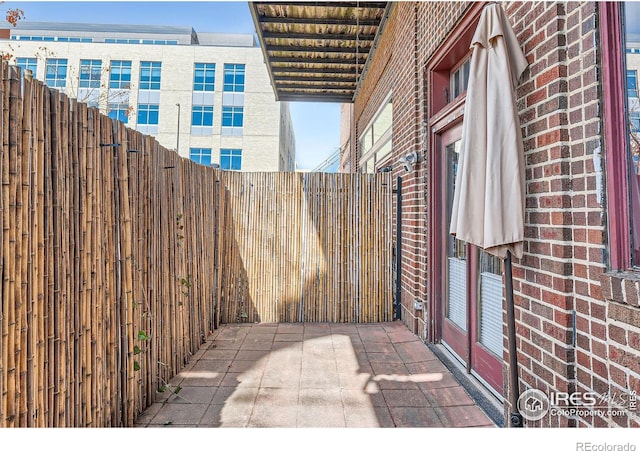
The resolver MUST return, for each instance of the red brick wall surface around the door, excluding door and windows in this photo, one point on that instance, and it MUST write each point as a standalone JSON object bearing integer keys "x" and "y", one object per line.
{"x": 561, "y": 278}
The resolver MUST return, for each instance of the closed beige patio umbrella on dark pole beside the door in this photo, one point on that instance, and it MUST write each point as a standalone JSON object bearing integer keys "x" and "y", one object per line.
{"x": 488, "y": 202}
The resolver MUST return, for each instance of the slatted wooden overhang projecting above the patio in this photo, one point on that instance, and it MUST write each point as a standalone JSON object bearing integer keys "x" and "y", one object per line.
{"x": 317, "y": 51}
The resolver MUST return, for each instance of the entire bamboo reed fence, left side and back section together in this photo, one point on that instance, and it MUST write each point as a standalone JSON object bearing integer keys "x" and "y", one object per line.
{"x": 119, "y": 257}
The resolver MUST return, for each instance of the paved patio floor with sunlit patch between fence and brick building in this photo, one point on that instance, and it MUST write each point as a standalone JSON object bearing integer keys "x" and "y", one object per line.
{"x": 314, "y": 375}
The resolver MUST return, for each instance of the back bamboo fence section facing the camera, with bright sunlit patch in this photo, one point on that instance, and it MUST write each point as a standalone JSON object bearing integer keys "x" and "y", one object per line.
{"x": 307, "y": 247}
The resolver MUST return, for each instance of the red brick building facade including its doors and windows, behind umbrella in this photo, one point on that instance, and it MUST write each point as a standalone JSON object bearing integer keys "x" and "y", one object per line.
{"x": 577, "y": 287}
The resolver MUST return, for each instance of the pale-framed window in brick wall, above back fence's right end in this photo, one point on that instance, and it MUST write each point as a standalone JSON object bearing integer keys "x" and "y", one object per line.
{"x": 376, "y": 142}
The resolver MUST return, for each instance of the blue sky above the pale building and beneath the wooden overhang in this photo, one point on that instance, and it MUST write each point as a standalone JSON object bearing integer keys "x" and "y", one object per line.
{"x": 316, "y": 125}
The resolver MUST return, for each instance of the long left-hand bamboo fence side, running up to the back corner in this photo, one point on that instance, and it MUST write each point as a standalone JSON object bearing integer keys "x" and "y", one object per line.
{"x": 108, "y": 266}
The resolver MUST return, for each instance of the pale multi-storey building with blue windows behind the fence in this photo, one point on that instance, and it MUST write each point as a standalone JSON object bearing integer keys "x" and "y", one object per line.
{"x": 207, "y": 95}
